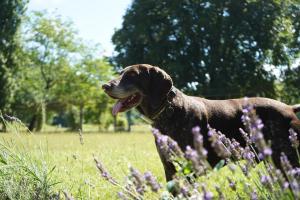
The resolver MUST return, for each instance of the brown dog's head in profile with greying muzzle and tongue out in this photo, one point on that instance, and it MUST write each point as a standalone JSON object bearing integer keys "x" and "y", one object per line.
{"x": 137, "y": 85}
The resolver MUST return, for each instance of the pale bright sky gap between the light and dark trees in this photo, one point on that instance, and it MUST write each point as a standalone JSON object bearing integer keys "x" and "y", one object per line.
{"x": 95, "y": 20}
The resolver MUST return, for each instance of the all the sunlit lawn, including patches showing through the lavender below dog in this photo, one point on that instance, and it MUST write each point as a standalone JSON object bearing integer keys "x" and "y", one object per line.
{"x": 76, "y": 173}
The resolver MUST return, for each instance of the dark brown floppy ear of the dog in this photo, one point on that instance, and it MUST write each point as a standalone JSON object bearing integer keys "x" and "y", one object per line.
{"x": 160, "y": 84}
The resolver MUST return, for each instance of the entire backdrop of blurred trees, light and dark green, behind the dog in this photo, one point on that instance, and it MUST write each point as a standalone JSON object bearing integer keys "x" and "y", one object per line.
{"x": 219, "y": 49}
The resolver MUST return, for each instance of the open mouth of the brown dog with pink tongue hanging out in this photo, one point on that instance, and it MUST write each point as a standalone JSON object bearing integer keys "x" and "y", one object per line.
{"x": 126, "y": 103}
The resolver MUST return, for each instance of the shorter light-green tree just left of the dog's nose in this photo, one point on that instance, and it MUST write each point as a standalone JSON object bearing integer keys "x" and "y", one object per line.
{"x": 82, "y": 86}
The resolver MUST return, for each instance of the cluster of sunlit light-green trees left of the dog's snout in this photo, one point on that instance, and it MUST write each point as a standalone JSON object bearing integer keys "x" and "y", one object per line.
{"x": 60, "y": 76}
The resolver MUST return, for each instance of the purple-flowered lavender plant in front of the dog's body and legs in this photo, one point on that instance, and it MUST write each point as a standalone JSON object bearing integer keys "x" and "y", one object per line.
{"x": 251, "y": 173}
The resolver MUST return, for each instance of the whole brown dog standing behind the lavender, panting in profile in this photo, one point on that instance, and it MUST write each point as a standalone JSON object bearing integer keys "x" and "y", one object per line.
{"x": 151, "y": 90}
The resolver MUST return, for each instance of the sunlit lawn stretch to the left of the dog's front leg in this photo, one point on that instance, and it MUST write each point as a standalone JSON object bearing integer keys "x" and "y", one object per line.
{"x": 75, "y": 168}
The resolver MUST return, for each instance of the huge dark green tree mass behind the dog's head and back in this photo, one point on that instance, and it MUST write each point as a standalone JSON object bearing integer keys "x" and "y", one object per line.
{"x": 216, "y": 48}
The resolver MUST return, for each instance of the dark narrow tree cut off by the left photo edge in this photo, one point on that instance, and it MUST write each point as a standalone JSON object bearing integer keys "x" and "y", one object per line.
{"x": 11, "y": 12}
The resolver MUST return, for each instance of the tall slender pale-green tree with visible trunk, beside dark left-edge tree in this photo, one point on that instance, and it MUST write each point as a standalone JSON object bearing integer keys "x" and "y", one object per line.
{"x": 50, "y": 42}
